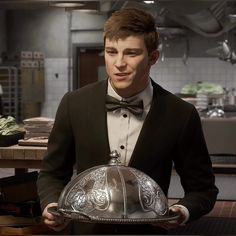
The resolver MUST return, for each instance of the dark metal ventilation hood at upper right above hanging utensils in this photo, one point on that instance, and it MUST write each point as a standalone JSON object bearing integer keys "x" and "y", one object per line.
{"x": 209, "y": 18}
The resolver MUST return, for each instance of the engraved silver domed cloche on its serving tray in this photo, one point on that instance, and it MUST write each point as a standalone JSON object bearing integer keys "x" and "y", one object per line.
{"x": 113, "y": 193}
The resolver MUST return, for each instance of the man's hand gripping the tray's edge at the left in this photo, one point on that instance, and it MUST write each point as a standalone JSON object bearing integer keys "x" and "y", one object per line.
{"x": 56, "y": 223}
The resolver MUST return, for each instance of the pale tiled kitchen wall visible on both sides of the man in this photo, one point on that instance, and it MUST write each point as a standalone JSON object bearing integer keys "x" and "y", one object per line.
{"x": 172, "y": 74}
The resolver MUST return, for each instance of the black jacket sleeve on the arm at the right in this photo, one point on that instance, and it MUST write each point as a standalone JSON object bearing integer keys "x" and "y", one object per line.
{"x": 193, "y": 165}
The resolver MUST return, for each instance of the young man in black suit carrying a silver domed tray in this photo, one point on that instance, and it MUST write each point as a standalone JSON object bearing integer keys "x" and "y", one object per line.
{"x": 167, "y": 131}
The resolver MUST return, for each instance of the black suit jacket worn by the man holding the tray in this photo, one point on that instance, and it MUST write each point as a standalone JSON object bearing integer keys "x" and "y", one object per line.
{"x": 171, "y": 134}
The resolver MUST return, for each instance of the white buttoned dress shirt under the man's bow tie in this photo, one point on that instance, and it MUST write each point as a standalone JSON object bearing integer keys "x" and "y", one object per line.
{"x": 123, "y": 126}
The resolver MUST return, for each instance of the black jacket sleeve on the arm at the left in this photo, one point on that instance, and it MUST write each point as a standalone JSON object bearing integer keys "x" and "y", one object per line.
{"x": 57, "y": 166}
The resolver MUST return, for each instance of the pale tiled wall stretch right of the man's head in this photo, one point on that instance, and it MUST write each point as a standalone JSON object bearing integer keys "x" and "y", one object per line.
{"x": 173, "y": 74}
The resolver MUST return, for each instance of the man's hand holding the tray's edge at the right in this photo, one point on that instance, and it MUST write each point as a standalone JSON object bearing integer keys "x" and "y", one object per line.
{"x": 174, "y": 223}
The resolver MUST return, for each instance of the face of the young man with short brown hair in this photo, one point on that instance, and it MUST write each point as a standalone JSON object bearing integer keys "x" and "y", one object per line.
{"x": 128, "y": 64}
